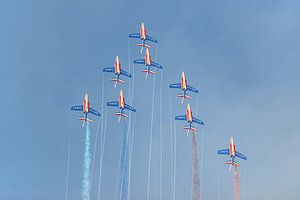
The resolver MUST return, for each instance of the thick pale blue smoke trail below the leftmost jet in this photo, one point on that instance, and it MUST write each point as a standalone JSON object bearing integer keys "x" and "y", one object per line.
{"x": 86, "y": 180}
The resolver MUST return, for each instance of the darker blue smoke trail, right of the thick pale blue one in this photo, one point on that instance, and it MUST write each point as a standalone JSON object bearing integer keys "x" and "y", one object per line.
{"x": 123, "y": 173}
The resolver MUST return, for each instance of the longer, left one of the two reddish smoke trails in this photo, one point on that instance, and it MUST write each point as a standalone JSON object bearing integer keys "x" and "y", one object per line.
{"x": 196, "y": 178}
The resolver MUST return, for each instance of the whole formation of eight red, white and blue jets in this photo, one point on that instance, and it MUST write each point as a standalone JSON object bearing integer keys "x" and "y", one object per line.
{"x": 183, "y": 85}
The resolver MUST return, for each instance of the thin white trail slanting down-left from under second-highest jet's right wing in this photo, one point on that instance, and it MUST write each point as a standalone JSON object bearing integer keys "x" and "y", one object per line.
{"x": 150, "y": 141}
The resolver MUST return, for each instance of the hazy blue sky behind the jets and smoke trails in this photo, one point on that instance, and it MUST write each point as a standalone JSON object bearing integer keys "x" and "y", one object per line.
{"x": 243, "y": 56}
